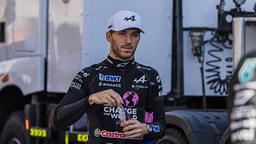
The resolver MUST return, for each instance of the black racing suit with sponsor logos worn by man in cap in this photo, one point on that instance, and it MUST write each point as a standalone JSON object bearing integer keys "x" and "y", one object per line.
{"x": 138, "y": 85}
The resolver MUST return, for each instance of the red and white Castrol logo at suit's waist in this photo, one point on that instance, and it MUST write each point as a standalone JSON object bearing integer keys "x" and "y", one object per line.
{"x": 109, "y": 134}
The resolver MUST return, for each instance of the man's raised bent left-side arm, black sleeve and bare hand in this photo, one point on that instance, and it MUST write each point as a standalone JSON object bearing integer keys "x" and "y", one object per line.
{"x": 79, "y": 99}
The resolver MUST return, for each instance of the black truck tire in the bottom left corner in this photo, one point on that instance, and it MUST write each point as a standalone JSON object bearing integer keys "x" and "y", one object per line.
{"x": 14, "y": 131}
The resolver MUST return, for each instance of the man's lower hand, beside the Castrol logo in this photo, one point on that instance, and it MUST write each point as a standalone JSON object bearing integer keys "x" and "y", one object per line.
{"x": 134, "y": 129}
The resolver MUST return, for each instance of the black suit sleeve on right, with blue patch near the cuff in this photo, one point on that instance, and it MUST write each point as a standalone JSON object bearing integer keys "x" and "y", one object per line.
{"x": 155, "y": 106}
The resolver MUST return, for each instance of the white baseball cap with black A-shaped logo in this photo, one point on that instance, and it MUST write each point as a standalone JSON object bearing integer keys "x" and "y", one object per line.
{"x": 124, "y": 19}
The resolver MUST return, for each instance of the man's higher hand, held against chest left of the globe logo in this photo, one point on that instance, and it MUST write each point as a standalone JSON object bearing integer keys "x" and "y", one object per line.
{"x": 106, "y": 97}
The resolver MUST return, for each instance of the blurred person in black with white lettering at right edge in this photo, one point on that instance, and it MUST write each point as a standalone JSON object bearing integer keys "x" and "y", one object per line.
{"x": 242, "y": 101}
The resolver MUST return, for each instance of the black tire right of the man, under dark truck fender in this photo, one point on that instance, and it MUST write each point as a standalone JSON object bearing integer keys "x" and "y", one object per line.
{"x": 173, "y": 136}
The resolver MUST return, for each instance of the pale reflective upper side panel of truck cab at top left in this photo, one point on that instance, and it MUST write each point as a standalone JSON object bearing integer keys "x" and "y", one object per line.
{"x": 22, "y": 19}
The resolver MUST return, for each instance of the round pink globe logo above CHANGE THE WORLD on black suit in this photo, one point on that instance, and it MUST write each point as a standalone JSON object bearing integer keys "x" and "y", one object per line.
{"x": 131, "y": 99}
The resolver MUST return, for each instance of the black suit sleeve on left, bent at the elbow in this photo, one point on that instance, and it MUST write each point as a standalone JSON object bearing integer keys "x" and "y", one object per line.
{"x": 75, "y": 102}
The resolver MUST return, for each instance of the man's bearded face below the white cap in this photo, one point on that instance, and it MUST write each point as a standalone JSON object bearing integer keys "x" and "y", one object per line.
{"x": 123, "y": 43}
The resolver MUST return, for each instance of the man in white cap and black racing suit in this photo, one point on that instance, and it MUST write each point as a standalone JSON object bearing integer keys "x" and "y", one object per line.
{"x": 120, "y": 96}
